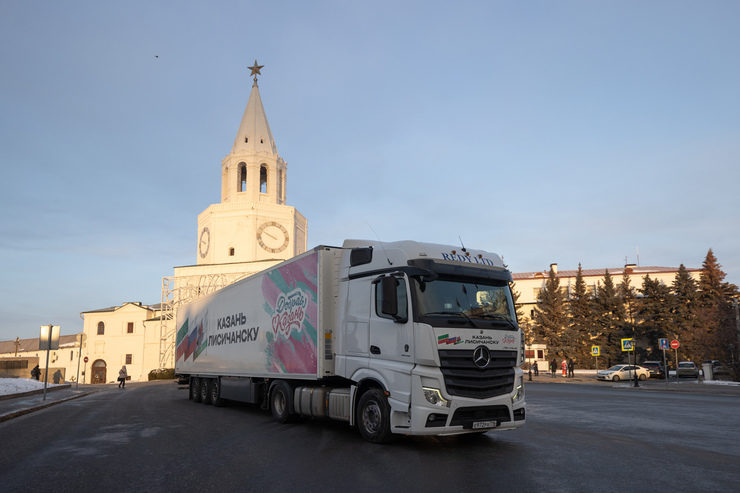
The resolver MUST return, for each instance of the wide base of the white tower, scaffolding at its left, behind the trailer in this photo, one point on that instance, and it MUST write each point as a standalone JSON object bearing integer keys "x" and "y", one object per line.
{"x": 178, "y": 290}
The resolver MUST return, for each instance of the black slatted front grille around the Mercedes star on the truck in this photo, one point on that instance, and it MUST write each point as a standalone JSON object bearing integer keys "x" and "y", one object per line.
{"x": 464, "y": 379}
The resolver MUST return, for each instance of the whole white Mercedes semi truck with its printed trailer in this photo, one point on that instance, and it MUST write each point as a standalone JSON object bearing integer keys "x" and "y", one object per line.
{"x": 395, "y": 338}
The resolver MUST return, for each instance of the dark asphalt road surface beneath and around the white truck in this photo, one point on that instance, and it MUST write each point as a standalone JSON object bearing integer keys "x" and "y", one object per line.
{"x": 149, "y": 437}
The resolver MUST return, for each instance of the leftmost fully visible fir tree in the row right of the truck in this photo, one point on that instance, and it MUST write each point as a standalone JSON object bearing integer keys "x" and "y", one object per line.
{"x": 550, "y": 318}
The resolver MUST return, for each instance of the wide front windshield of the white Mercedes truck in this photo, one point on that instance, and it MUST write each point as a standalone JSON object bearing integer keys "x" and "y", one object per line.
{"x": 481, "y": 304}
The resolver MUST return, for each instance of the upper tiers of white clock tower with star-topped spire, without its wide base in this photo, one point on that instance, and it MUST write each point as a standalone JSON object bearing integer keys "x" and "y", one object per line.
{"x": 253, "y": 221}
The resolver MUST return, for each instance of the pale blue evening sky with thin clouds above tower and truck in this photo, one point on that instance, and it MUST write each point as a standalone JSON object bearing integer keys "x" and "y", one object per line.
{"x": 568, "y": 132}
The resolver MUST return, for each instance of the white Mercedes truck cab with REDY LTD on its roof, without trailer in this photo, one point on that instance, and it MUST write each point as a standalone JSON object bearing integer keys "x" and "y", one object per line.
{"x": 429, "y": 333}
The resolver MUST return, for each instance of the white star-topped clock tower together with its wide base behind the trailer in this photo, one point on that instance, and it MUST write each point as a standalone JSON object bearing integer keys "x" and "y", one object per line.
{"x": 250, "y": 230}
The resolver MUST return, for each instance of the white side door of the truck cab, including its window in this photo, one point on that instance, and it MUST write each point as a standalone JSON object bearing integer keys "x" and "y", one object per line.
{"x": 391, "y": 334}
